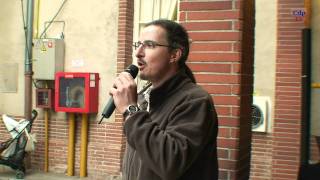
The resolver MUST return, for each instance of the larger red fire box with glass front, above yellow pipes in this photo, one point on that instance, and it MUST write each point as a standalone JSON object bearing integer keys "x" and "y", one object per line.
{"x": 76, "y": 92}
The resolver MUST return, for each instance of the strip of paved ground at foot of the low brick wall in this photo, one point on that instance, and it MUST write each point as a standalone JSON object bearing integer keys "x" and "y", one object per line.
{"x": 33, "y": 175}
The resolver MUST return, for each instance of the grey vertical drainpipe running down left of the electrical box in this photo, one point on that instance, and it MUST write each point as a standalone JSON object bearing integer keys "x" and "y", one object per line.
{"x": 28, "y": 61}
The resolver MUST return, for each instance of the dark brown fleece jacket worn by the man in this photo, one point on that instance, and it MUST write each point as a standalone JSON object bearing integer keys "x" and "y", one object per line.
{"x": 177, "y": 138}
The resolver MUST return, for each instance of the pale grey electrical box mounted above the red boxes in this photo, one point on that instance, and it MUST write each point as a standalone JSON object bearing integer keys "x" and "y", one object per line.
{"x": 48, "y": 58}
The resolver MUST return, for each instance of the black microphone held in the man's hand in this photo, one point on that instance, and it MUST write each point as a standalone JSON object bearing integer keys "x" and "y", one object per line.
{"x": 109, "y": 108}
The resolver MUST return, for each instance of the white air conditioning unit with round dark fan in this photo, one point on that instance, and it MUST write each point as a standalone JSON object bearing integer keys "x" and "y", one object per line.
{"x": 260, "y": 113}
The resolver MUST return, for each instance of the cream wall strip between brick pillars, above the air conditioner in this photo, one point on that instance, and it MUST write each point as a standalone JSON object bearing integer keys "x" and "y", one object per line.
{"x": 265, "y": 50}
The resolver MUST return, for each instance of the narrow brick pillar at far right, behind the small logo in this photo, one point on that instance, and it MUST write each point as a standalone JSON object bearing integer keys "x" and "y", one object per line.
{"x": 287, "y": 122}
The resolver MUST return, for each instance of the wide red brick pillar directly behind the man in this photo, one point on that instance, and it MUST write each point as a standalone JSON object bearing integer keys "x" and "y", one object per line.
{"x": 222, "y": 58}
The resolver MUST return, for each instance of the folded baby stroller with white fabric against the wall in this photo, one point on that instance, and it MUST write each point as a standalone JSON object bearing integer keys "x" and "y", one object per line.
{"x": 12, "y": 151}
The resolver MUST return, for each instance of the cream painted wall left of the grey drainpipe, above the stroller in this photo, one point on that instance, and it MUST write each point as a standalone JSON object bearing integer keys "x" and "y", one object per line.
{"x": 12, "y": 51}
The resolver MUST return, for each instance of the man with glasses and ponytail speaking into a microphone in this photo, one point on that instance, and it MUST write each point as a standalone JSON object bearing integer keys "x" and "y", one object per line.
{"x": 175, "y": 135}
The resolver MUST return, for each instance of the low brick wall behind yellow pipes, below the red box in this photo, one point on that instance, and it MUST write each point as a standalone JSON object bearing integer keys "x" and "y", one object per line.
{"x": 105, "y": 142}
